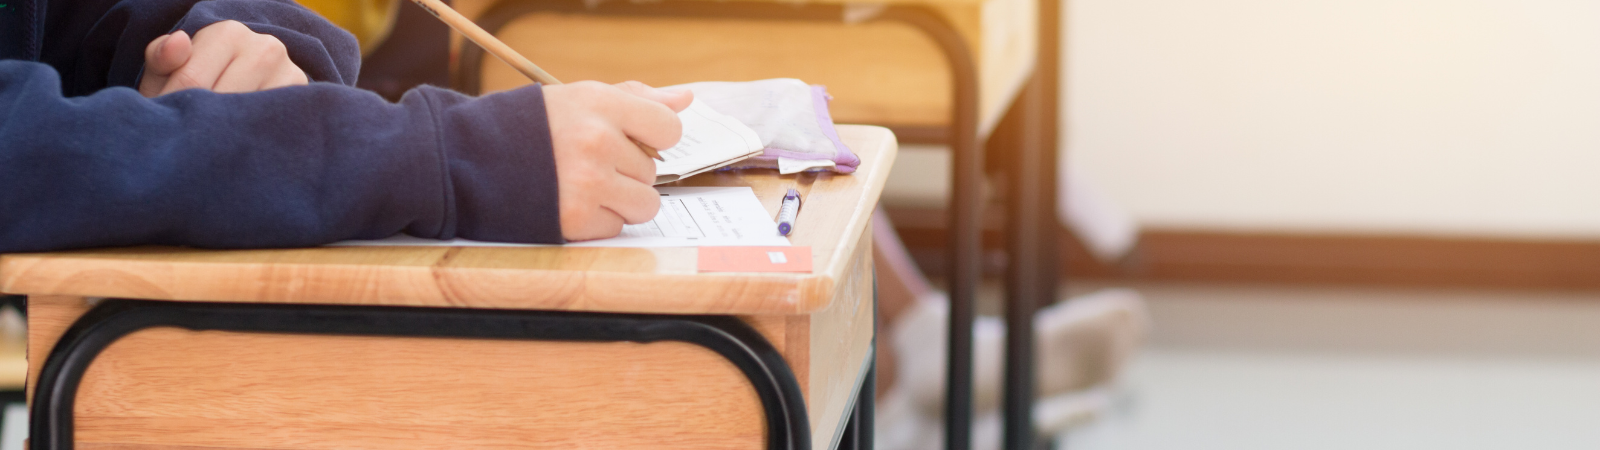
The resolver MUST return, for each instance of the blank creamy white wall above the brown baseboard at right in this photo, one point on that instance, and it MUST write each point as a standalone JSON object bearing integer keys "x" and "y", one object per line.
{"x": 1463, "y": 118}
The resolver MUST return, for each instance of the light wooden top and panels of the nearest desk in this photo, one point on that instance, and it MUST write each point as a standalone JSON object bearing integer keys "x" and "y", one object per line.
{"x": 169, "y": 388}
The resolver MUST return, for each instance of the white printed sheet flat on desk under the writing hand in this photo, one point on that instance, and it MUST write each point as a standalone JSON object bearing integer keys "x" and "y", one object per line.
{"x": 690, "y": 217}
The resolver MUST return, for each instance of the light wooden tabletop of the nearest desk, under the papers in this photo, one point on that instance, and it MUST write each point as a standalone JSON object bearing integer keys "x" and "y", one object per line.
{"x": 838, "y": 209}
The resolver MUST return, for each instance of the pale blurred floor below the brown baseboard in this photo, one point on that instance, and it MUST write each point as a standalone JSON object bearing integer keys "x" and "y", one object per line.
{"x": 1292, "y": 368}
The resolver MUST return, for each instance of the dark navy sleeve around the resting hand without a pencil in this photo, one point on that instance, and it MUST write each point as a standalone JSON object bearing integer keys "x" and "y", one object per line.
{"x": 98, "y": 44}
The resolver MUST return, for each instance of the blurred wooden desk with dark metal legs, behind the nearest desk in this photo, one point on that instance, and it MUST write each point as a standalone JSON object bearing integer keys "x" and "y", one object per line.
{"x": 937, "y": 71}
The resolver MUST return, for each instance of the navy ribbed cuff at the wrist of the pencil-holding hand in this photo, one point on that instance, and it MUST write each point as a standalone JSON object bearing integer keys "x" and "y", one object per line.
{"x": 502, "y": 167}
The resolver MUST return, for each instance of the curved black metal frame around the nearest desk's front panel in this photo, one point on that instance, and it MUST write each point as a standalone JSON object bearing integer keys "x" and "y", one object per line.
{"x": 785, "y": 408}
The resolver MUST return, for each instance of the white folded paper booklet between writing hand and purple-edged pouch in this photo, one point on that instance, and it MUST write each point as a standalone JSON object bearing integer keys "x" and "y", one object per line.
{"x": 711, "y": 140}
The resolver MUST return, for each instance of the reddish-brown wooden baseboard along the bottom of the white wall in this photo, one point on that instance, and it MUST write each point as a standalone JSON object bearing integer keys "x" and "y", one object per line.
{"x": 1305, "y": 259}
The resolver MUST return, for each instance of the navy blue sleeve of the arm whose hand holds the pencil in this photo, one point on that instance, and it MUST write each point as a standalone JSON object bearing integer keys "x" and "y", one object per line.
{"x": 290, "y": 167}
